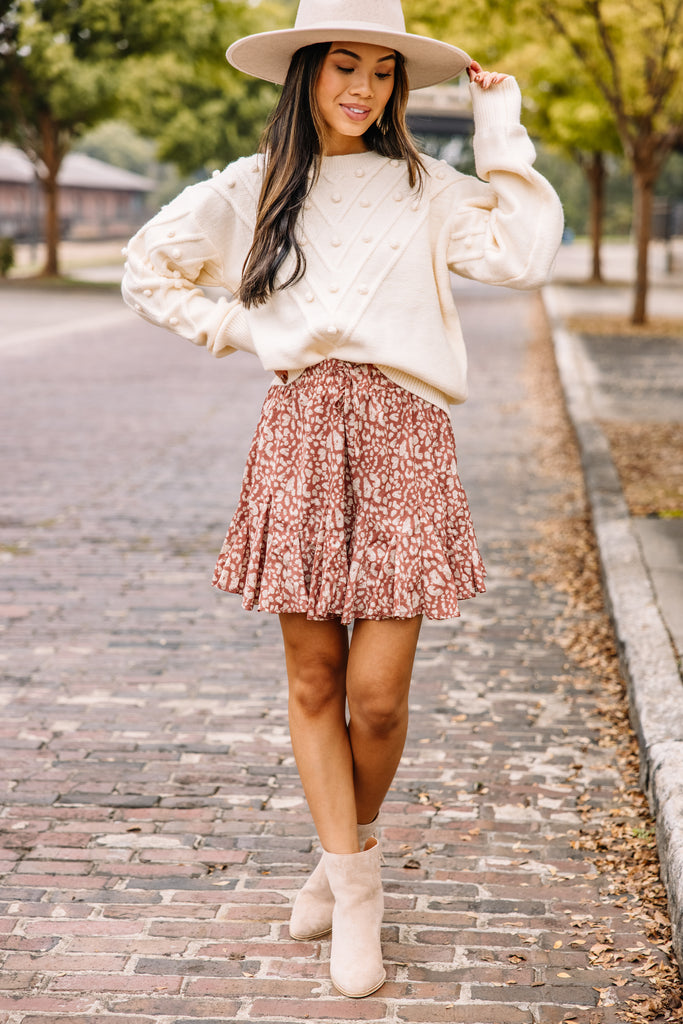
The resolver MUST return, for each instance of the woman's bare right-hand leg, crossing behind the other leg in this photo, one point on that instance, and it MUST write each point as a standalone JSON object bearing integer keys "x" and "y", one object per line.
{"x": 378, "y": 680}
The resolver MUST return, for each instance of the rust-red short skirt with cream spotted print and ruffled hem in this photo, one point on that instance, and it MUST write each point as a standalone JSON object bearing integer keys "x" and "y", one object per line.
{"x": 351, "y": 505}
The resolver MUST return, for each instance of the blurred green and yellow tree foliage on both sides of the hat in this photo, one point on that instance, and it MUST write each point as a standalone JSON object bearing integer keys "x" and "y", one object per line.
{"x": 145, "y": 84}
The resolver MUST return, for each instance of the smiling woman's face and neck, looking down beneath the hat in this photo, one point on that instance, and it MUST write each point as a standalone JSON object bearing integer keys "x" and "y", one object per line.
{"x": 353, "y": 90}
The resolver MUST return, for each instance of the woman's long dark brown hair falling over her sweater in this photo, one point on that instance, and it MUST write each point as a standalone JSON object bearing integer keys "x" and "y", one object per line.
{"x": 292, "y": 143}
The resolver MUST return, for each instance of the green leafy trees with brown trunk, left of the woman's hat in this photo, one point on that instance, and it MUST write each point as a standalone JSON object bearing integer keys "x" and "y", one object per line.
{"x": 66, "y": 65}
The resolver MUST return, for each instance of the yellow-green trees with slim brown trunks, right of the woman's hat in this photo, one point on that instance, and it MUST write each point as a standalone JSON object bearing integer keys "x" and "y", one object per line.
{"x": 601, "y": 78}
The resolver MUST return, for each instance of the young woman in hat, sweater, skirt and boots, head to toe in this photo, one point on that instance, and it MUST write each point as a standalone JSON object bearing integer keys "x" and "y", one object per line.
{"x": 337, "y": 242}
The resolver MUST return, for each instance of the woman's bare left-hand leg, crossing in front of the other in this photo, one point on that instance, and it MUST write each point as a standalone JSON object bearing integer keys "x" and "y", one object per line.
{"x": 317, "y": 655}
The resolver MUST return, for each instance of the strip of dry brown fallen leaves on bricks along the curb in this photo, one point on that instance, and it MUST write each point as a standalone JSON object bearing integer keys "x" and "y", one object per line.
{"x": 622, "y": 838}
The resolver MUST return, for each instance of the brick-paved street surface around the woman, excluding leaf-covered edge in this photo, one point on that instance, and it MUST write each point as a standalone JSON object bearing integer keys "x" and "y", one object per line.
{"x": 154, "y": 828}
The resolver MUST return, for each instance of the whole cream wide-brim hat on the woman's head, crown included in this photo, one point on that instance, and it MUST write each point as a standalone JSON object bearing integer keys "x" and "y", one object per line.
{"x": 268, "y": 55}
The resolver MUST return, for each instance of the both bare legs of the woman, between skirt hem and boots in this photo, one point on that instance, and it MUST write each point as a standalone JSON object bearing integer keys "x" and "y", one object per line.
{"x": 347, "y": 772}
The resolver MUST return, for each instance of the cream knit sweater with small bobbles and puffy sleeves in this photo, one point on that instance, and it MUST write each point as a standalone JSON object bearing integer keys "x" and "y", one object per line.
{"x": 377, "y": 287}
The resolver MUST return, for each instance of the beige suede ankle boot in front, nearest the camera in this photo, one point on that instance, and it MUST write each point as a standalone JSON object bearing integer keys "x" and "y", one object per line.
{"x": 356, "y": 960}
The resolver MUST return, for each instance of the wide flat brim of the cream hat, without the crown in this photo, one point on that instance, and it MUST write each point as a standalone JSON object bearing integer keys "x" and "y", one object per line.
{"x": 268, "y": 55}
